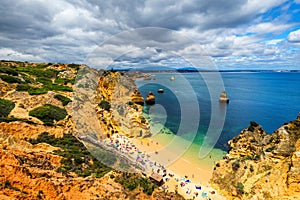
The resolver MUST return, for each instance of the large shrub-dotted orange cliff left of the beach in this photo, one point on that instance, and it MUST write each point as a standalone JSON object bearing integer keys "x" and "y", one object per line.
{"x": 41, "y": 156}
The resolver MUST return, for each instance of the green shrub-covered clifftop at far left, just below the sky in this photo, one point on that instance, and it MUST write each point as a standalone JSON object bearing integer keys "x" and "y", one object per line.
{"x": 30, "y": 77}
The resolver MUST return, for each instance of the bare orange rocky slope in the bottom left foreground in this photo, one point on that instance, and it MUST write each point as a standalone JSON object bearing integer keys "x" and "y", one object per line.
{"x": 25, "y": 175}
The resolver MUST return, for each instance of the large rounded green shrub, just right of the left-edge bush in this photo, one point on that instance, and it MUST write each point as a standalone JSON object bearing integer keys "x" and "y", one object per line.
{"x": 48, "y": 113}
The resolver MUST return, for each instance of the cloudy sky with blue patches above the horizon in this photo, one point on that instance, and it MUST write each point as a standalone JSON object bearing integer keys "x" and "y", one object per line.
{"x": 233, "y": 34}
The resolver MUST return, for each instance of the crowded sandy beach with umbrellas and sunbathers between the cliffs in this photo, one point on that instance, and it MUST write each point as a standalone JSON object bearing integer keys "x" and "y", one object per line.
{"x": 182, "y": 175}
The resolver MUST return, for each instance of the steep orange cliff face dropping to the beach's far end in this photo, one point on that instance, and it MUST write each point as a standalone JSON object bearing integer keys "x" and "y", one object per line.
{"x": 120, "y": 106}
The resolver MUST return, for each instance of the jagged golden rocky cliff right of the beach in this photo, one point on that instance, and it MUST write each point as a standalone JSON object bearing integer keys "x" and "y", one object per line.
{"x": 261, "y": 165}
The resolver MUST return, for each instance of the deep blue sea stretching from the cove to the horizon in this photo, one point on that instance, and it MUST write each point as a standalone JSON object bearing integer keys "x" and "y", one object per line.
{"x": 190, "y": 104}
